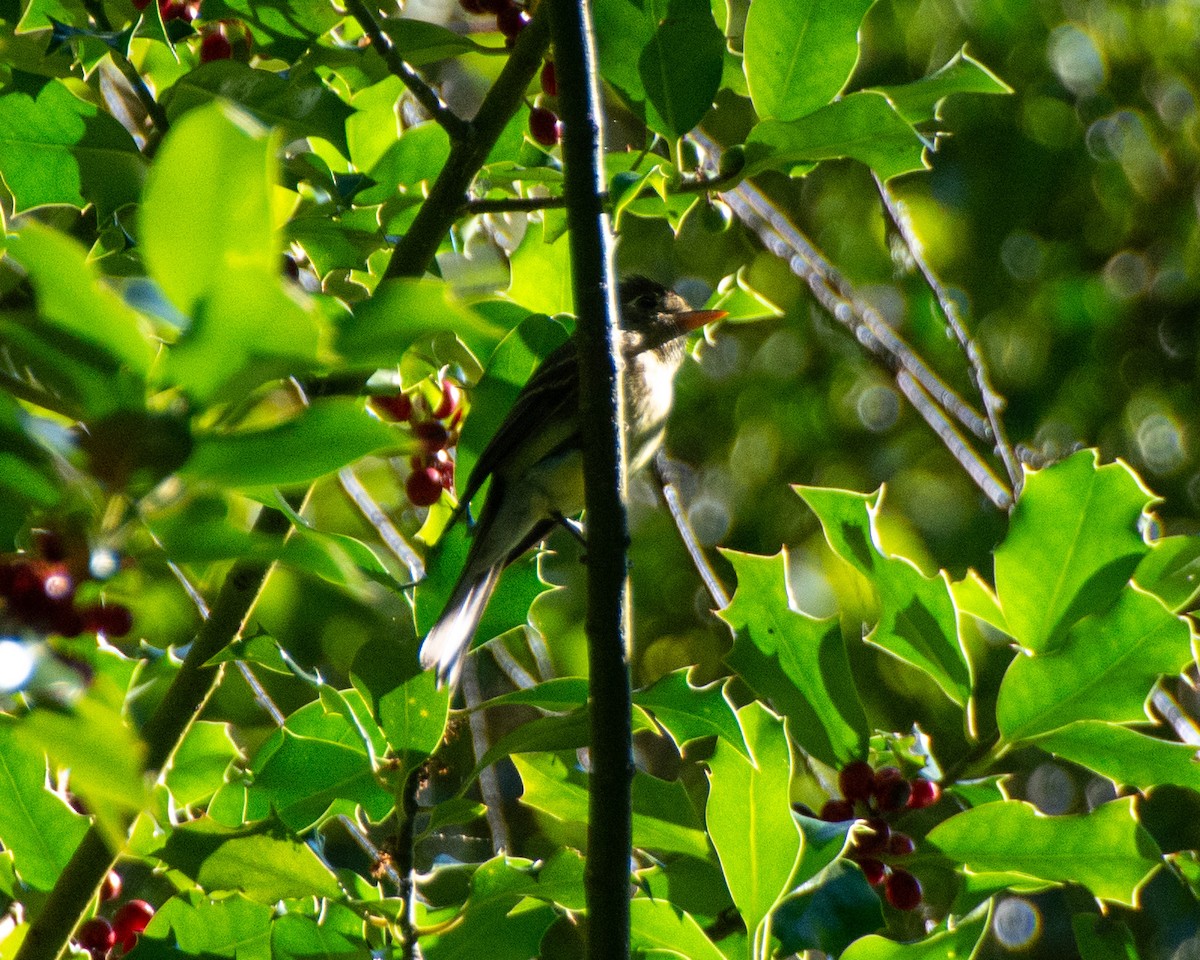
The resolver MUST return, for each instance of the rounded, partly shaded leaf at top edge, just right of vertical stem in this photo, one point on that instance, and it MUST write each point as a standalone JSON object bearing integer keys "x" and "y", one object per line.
{"x": 665, "y": 57}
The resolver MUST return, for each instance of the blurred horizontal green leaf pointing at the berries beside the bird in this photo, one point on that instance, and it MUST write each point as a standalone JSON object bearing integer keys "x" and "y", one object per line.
{"x": 322, "y": 439}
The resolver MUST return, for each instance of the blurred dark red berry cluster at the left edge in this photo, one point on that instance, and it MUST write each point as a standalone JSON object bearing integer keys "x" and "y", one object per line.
{"x": 39, "y": 591}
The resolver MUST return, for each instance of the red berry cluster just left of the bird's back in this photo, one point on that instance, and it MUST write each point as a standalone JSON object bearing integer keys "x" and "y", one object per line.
{"x": 436, "y": 429}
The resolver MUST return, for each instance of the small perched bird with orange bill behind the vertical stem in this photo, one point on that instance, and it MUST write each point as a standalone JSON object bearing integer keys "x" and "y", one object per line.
{"x": 536, "y": 459}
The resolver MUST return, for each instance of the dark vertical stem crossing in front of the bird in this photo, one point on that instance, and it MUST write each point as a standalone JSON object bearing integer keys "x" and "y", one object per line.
{"x": 610, "y": 825}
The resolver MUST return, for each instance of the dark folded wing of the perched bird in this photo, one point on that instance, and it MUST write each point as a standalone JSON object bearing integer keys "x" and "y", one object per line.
{"x": 544, "y": 418}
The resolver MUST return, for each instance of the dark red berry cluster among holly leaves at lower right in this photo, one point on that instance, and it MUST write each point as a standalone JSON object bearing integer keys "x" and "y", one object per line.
{"x": 874, "y": 796}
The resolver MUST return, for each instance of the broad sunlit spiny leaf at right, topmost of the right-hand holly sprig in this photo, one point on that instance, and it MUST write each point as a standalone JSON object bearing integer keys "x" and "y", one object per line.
{"x": 1072, "y": 545}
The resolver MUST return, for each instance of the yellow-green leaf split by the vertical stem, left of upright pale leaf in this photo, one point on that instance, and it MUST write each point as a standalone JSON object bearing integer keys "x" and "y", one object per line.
{"x": 663, "y": 815}
